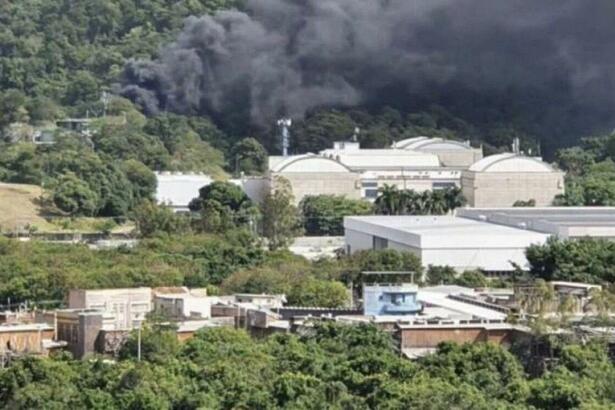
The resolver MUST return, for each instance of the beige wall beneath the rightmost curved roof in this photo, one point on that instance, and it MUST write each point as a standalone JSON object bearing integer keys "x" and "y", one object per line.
{"x": 503, "y": 189}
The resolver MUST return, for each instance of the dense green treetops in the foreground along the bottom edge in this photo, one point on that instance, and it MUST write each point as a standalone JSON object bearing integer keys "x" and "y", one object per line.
{"x": 334, "y": 366}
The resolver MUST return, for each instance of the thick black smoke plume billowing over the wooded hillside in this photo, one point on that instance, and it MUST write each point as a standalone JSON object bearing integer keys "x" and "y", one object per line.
{"x": 547, "y": 64}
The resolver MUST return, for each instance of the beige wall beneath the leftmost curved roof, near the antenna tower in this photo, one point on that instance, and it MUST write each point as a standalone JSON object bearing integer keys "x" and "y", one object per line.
{"x": 316, "y": 183}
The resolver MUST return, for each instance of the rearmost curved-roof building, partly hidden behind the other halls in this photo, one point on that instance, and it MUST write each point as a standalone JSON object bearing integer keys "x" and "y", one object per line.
{"x": 451, "y": 153}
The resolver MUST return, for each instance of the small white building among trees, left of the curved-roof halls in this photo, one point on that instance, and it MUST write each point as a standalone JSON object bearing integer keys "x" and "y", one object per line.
{"x": 177, "y": 189}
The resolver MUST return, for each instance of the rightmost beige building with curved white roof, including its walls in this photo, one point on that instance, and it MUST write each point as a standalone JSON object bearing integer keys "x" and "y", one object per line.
{"x": 501, "y": 180}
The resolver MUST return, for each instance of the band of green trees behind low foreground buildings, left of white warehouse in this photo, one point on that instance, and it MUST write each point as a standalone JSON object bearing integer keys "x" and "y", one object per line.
{"x": 235, "y": 262}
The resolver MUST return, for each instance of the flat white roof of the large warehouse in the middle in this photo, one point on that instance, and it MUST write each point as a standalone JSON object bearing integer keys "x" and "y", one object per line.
{"x": 443, "y": 232}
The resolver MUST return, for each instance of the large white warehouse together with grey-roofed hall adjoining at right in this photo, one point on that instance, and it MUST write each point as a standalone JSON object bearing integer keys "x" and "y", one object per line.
{"x": 490, "y": 239}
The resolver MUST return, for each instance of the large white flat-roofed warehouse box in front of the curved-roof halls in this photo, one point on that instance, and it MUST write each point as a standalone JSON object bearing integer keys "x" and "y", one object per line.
{"x": 461, "y": 243}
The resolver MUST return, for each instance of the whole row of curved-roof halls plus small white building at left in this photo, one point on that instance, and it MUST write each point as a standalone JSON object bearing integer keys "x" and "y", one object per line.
{"x": 419, "y": 164}
